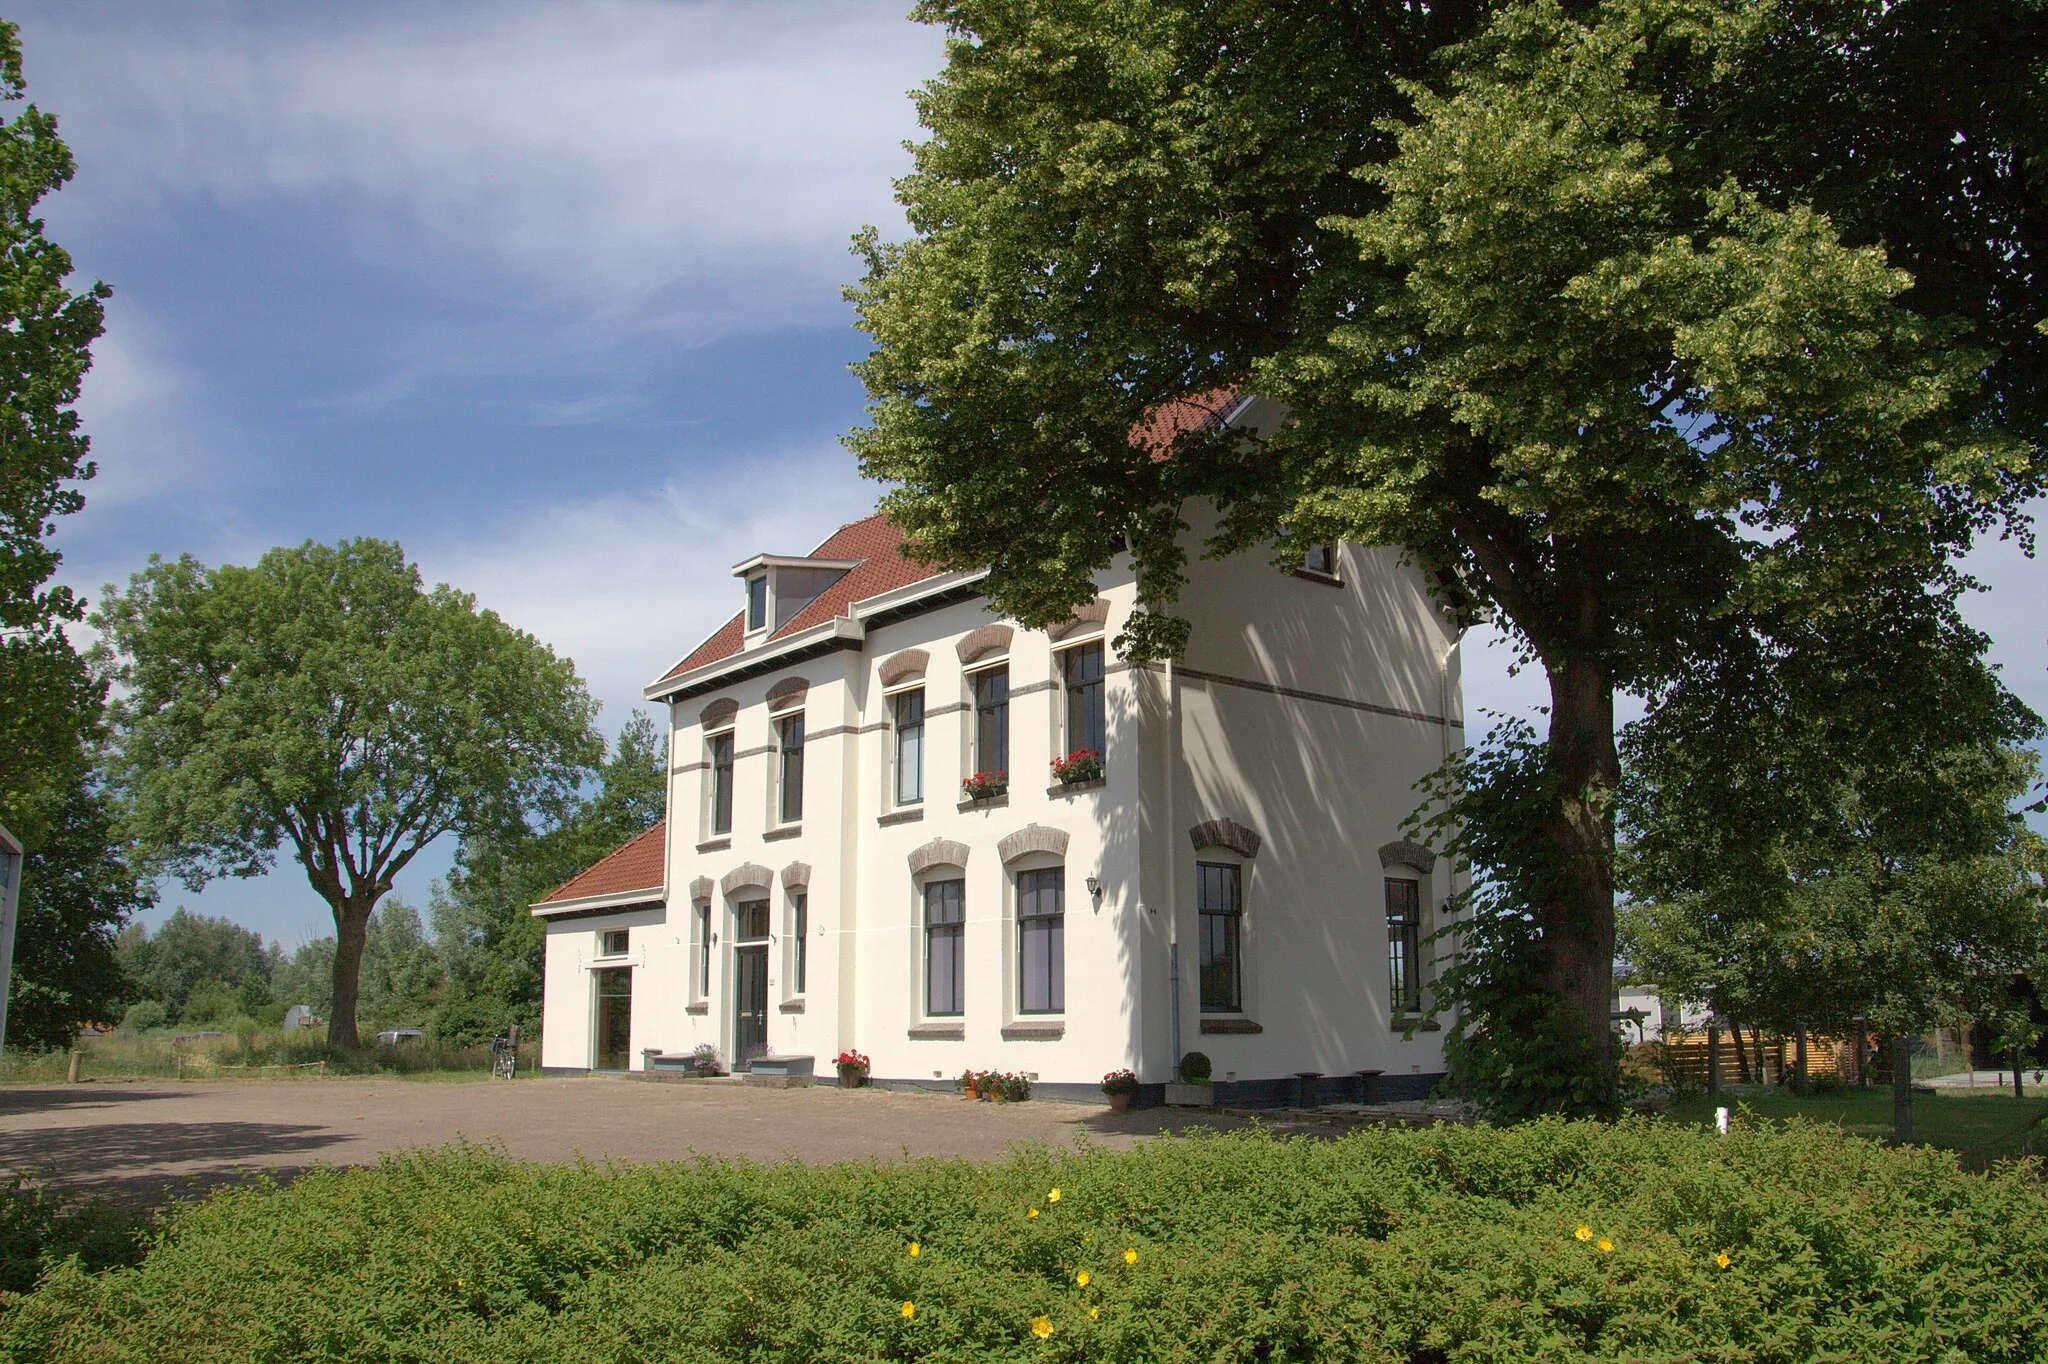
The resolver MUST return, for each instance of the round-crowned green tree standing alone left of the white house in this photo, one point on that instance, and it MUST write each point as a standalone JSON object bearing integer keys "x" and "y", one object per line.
{"x": 327, "y": 701}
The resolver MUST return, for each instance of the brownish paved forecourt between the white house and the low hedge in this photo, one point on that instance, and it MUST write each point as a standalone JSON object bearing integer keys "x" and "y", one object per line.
{"x": 148, "y": 1140}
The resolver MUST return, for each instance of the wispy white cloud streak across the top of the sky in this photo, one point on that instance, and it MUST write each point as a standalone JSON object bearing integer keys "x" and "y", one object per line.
{"x": 687, "y": 165}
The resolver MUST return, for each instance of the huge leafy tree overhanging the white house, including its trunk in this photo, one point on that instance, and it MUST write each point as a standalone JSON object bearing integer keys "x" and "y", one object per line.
{"x": 1596, "y": 310}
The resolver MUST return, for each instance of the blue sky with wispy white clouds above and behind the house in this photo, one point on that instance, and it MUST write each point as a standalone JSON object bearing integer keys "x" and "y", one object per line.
{"x": 544, "y": 292}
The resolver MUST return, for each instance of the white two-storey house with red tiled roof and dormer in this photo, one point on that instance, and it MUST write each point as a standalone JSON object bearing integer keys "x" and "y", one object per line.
{"x": 1234, "y": 882}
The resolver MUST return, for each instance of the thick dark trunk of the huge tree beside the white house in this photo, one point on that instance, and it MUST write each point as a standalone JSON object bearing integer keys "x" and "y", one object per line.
{"x": 1578, "y": 919}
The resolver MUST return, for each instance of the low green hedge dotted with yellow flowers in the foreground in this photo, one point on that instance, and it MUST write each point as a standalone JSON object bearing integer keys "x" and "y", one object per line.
{"x": 1545, "y": 1242}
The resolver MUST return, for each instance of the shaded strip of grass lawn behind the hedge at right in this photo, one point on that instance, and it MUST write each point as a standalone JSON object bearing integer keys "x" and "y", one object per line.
{"x": 1983, "y": 1125}
